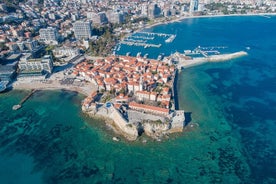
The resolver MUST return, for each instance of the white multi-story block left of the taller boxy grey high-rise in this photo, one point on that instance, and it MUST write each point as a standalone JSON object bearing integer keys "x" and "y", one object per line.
{"x": 49, "y": 35}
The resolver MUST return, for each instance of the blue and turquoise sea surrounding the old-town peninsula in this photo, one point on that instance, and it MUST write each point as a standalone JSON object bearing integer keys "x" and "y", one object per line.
{"x": 49, "y": 140}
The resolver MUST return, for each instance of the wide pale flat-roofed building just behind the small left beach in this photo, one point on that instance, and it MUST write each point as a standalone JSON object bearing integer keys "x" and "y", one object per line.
{"x": 28, "y": 64}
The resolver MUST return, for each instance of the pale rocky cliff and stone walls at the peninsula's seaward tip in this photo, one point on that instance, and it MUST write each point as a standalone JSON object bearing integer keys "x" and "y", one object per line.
{"x": 132, "y": 130}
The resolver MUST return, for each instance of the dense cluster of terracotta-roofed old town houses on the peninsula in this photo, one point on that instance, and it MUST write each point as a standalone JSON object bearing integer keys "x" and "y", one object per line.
{"x": 149, "y": 80}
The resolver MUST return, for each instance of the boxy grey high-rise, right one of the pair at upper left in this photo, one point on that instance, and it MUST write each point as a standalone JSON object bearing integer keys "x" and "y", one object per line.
{"x": 82, "y": 30}
